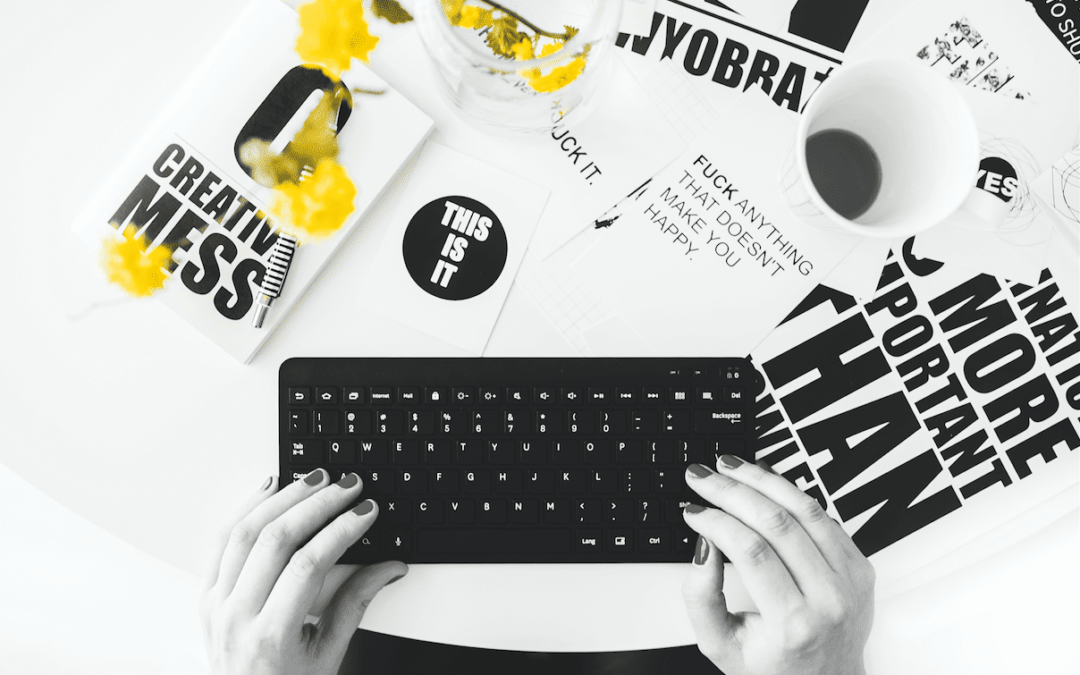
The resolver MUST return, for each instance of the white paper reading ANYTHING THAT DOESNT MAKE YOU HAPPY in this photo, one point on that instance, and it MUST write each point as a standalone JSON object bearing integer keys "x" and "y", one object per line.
{"x": 709, "y": 261}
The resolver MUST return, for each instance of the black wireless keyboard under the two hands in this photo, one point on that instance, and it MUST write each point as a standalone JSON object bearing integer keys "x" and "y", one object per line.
{"x": 517, "y": 461}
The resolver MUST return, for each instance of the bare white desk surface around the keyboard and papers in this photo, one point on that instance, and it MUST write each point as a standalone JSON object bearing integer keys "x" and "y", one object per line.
{"x": 151, "y": 434}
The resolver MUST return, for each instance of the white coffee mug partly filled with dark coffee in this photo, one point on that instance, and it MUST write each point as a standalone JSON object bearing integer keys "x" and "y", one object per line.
{"x": 922, "y": 132}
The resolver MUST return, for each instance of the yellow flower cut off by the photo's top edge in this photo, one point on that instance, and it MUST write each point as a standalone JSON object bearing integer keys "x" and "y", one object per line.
{"x": 333, "y": 33}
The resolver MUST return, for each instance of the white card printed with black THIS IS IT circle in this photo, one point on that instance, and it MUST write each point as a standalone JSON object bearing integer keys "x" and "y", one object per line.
{"x": 429, "y": 268}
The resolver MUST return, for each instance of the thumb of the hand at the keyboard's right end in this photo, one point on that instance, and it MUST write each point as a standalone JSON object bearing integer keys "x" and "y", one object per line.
{"x": 715, "y": 628}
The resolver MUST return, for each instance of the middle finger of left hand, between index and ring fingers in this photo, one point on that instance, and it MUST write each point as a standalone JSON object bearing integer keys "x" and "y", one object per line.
{"x": 280, "y": 539}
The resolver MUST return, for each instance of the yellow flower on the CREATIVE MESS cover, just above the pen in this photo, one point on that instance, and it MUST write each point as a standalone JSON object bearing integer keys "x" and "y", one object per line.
{"x": 318, "y": 206}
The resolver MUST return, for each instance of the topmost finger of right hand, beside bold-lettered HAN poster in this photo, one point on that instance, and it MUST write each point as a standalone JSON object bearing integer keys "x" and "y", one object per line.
{"x": 834, "y": 544}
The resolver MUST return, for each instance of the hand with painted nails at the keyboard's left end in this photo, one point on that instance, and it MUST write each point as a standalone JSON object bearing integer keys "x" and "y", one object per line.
{"x": 269, "y": 566}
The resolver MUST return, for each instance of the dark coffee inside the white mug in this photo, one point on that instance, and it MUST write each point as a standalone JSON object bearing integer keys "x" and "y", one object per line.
{"x": 845, "y": 171}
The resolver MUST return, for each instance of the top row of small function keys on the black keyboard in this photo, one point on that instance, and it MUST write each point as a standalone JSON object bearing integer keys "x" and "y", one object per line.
{"x": 514, "y": 396}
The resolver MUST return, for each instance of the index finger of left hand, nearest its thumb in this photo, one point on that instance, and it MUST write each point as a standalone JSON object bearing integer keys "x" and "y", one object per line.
{"x": 296, "y": 590}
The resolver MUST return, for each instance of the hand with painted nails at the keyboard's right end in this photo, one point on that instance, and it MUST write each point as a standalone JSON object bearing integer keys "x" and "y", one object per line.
{"x": 814, "y": 589}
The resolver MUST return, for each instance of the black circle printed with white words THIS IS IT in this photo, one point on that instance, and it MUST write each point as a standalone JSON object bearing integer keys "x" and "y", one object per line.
{"x": 455, "y": 248}
